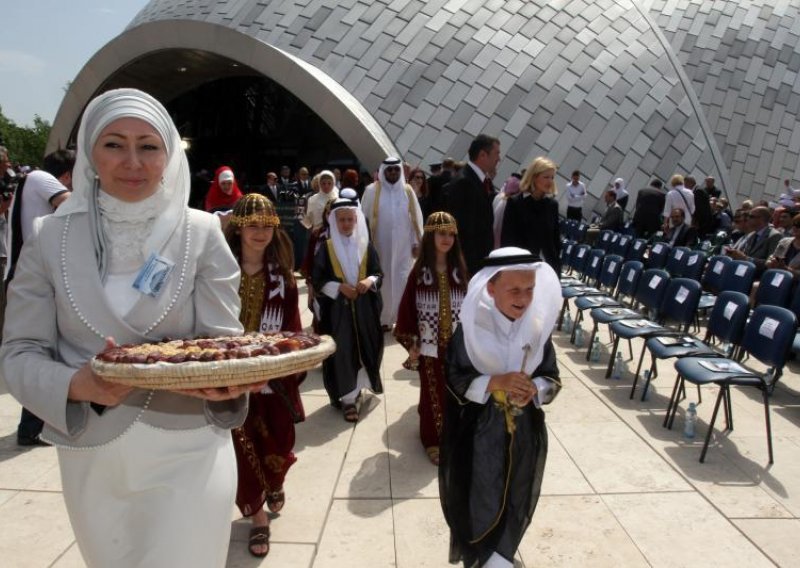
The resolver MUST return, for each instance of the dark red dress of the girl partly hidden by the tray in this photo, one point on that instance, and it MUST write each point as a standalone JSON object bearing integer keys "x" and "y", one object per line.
{"x": 265, "y": 441}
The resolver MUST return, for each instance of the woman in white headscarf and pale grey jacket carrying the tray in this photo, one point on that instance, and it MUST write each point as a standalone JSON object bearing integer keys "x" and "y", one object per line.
{"x": 149, "y": 477}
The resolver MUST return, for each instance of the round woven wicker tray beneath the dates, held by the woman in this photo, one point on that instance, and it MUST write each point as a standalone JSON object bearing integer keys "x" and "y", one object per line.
{"x": 213, "y": 374}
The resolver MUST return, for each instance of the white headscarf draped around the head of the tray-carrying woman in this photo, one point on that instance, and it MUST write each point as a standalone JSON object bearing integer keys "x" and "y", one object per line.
{"x": 102, "y": 111}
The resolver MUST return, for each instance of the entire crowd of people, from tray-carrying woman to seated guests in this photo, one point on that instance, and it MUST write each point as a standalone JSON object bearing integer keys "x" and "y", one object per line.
{"x": 461, "y": 273}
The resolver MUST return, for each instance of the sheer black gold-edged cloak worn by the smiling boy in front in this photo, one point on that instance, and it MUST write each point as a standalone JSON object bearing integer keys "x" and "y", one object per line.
{"x": 489, "y": 480}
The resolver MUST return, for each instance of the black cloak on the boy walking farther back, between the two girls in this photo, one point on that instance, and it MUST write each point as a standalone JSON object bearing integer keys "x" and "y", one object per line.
{"x": 355, "y": 325}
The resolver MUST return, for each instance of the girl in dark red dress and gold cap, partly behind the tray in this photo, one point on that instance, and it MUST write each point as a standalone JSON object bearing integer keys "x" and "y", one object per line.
{"x": 268, "y": 291}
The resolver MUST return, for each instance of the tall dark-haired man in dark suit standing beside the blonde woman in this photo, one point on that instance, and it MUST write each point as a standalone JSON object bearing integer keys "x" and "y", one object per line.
{"x": 468, "y": 198}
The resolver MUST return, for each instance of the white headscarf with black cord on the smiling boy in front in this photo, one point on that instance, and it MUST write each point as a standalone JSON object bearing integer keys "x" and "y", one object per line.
{"x": 533, "y": 328}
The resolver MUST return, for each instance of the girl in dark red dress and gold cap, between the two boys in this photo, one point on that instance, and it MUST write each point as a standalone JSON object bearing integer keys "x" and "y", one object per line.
{"x": 428, "y": 316}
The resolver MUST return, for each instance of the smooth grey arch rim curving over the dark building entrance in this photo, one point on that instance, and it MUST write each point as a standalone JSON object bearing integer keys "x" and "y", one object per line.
{"x": 329, "y": 100}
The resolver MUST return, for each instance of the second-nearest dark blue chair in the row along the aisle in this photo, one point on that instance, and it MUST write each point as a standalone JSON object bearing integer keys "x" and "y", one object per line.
{"x": 725, "y": 326}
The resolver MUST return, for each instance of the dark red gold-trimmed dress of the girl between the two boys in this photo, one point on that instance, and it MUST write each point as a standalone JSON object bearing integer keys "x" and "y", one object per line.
{"x": 428, "y": 316}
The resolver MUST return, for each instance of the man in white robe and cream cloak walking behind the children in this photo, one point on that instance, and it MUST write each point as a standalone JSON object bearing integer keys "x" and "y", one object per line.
{"x": 395, "y": 222}
